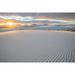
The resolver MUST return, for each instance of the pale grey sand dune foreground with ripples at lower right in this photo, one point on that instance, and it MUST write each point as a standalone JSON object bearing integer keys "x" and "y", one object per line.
{"x": 37, "y": 46}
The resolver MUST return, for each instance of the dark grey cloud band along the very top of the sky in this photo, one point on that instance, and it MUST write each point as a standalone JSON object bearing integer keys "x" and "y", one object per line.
{"x": 54, "y": 15}
